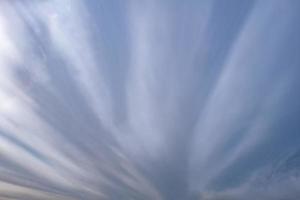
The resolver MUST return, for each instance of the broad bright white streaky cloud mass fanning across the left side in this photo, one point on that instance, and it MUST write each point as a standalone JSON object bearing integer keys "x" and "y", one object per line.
{"x": 44, "y": 161}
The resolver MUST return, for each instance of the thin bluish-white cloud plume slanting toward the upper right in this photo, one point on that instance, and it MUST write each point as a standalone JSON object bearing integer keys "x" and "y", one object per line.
{"x": 246, "y": 100}
